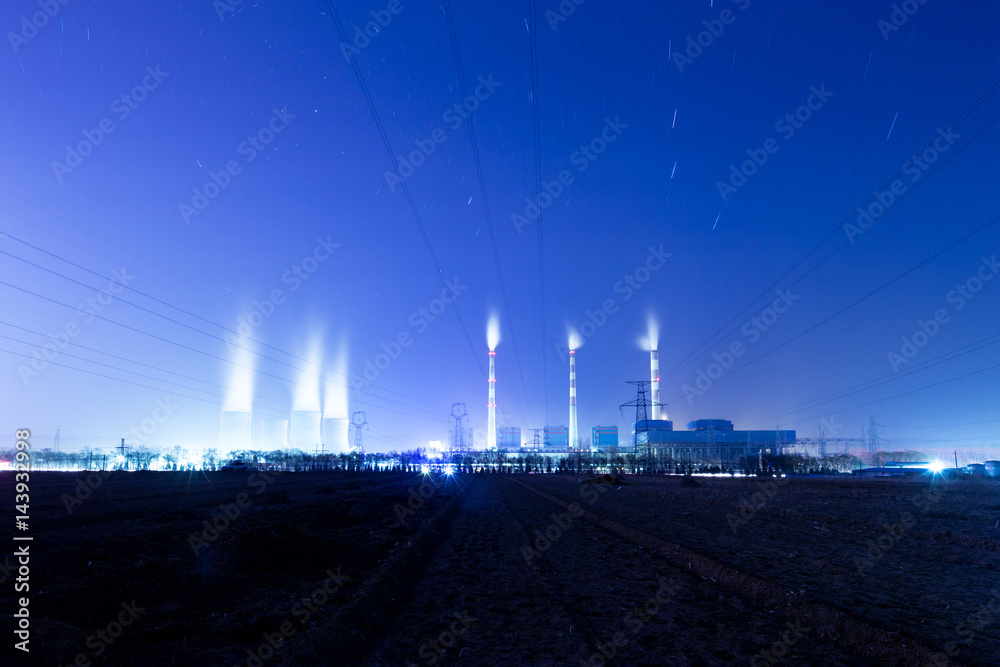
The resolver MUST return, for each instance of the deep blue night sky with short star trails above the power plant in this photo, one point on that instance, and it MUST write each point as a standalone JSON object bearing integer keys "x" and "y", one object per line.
{"x": 323, "y": 176}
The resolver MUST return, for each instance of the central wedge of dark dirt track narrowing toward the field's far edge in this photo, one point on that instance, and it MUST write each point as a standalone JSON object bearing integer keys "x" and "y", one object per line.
{"x": 479, "y": 574}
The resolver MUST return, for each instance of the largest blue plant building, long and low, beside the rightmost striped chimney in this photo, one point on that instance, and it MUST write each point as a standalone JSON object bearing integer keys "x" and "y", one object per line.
{"x": 708, "y": 441}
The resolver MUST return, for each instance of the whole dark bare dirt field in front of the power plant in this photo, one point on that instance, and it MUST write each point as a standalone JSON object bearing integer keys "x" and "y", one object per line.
{"x": 403, "y": 569}
